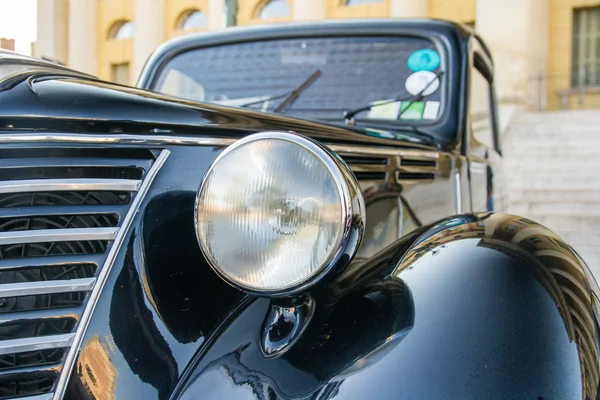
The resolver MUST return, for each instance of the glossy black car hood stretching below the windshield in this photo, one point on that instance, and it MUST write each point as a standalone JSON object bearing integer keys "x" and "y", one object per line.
{"x": 52, "y": 101}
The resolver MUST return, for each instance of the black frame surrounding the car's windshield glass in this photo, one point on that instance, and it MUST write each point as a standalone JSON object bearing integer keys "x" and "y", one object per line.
{"x": 450, "y": 39}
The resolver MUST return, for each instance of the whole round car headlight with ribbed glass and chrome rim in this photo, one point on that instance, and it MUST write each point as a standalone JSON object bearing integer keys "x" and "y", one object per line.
{"x": 276, "y": 212}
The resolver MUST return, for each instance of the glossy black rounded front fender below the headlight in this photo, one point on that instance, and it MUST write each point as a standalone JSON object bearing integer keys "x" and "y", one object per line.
{"x": 477, "y": 306}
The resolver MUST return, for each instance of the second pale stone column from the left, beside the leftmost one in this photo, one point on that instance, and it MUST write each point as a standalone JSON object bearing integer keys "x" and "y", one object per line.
{"x": 83, "y": 39}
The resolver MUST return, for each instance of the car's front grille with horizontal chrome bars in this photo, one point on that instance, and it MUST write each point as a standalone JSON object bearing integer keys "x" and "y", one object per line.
{"x": 60, "y": 212}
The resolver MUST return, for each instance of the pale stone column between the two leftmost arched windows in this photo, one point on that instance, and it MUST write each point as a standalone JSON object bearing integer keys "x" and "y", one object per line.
{"x": 149, "y": 23}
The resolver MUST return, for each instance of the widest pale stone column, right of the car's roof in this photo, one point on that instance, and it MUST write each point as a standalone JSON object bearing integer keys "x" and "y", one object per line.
{"x": 519, "y": 48}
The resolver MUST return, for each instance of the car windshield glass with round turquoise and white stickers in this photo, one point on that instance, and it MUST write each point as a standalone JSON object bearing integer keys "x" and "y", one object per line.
{"x": 354, "y": 71}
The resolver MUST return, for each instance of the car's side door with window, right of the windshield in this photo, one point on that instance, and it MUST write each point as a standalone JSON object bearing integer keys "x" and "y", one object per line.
{"x": 483, "y": 139}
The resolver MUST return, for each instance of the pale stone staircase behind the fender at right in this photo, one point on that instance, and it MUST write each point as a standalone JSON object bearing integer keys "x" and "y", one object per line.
{"x": 552, "y": 167}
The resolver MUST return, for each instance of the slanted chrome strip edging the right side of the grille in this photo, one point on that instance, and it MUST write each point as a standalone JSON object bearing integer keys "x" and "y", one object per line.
{"x": 103, "y": 274}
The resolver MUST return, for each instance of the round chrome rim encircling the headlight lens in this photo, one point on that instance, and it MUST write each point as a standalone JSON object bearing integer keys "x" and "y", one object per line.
{"x": 352, "y": 204}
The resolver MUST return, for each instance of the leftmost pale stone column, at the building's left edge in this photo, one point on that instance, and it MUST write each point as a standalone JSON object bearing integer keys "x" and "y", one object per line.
{"x": 52, "y": 30}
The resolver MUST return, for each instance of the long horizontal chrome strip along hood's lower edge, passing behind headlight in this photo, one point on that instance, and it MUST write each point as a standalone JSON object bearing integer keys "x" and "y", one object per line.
{"x": 158, "y": 140}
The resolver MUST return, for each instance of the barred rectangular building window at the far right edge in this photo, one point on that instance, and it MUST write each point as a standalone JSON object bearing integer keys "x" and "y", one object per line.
{"x": 586, "y": 47}
